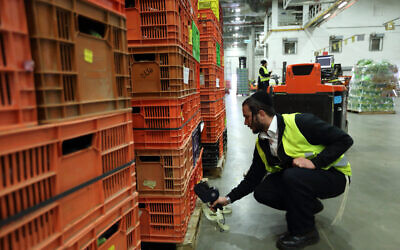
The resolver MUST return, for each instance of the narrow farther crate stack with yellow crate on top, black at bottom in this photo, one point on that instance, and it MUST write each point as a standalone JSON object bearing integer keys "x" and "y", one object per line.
{"x": 212, "y": 89}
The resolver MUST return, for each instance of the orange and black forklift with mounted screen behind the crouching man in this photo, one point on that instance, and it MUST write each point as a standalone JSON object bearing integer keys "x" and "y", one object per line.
{"x": 313, "y": 88}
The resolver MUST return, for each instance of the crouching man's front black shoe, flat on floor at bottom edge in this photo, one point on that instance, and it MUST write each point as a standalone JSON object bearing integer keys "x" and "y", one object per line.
{"x": 291, "y": 242}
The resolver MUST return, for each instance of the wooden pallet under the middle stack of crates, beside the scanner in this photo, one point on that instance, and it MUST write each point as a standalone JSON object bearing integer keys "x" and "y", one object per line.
{"x": 191, "y": 236}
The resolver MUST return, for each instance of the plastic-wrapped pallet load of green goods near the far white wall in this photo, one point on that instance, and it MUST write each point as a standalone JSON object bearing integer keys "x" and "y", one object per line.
{"x": 371, "y": 87}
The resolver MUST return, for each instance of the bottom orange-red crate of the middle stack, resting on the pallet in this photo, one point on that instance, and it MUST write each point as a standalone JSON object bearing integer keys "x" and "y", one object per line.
{"x": 164, "y": 218}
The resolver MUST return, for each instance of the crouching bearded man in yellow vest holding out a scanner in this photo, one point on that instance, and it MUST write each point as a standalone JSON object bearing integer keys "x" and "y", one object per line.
{"x": 298, "y": 159}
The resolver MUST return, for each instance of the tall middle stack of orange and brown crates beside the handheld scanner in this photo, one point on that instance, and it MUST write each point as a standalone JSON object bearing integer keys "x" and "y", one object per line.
{"x": 163, "y": 42}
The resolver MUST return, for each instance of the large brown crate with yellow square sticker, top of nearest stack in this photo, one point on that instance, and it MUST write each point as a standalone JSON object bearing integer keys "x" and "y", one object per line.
{"x": 81, "y": 60}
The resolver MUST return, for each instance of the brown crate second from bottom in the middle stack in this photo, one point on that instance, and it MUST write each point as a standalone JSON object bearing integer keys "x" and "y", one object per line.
{"x": 164, "y": 172}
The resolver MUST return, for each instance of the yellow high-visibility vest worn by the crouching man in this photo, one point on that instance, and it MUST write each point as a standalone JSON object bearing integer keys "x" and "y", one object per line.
{"x": 296, "y": 145}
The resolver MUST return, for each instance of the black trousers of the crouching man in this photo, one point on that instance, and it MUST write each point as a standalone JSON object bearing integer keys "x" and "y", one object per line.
{"x": 296, "y": 190}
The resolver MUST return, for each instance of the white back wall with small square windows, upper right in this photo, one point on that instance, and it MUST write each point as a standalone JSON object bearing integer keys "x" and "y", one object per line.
{"x": 363, "y": 17}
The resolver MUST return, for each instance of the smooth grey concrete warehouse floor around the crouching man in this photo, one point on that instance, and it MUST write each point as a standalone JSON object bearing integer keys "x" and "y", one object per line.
{"x": 372, "y": 216}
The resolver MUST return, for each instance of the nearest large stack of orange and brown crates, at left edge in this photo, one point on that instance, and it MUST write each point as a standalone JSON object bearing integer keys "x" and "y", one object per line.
{"x": 66, "y": 144}
